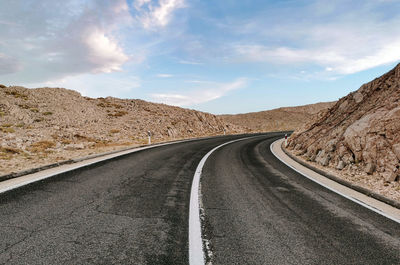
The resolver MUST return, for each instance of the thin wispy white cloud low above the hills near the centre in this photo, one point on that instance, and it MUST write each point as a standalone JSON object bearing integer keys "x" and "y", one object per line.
{"x": 199, "y": 95}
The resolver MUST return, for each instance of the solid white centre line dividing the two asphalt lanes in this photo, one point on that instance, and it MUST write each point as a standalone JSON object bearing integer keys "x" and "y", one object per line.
{"x": 196, "y": 253}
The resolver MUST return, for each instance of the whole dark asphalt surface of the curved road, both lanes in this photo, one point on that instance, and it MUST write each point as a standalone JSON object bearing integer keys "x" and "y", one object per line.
{"x": 134, "y": 210}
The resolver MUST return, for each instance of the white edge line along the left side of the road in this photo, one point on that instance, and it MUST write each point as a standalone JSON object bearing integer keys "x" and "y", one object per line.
{"x": 73, "y": 167}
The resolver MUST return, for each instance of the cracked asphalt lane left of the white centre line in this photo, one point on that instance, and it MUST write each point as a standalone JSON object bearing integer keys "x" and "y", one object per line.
{"x": 131, "y": 210}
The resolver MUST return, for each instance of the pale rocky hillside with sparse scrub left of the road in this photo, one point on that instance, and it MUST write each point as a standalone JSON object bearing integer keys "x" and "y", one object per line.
{"x": 46, "y": 125}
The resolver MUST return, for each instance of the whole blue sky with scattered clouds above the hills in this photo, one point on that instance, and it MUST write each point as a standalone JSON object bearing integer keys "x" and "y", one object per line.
{"x": 218, "y": 56}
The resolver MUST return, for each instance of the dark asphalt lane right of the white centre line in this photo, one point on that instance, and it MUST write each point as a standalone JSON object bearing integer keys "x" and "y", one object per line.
{"x": 259, "y": 211}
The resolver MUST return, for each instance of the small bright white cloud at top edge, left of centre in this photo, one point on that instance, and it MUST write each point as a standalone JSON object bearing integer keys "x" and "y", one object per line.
{"x": 157, "y": 16}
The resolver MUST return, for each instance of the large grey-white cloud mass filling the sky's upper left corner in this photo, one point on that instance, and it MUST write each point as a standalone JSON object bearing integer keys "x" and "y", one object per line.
{"x": 51, "y": 40}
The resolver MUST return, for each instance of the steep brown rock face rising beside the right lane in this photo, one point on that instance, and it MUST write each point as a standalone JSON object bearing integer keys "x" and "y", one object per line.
{"x": 361, "y": 132}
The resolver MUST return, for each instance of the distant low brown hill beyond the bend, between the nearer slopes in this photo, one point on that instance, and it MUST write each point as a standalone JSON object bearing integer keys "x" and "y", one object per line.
{"x": 282, "y": 119}
